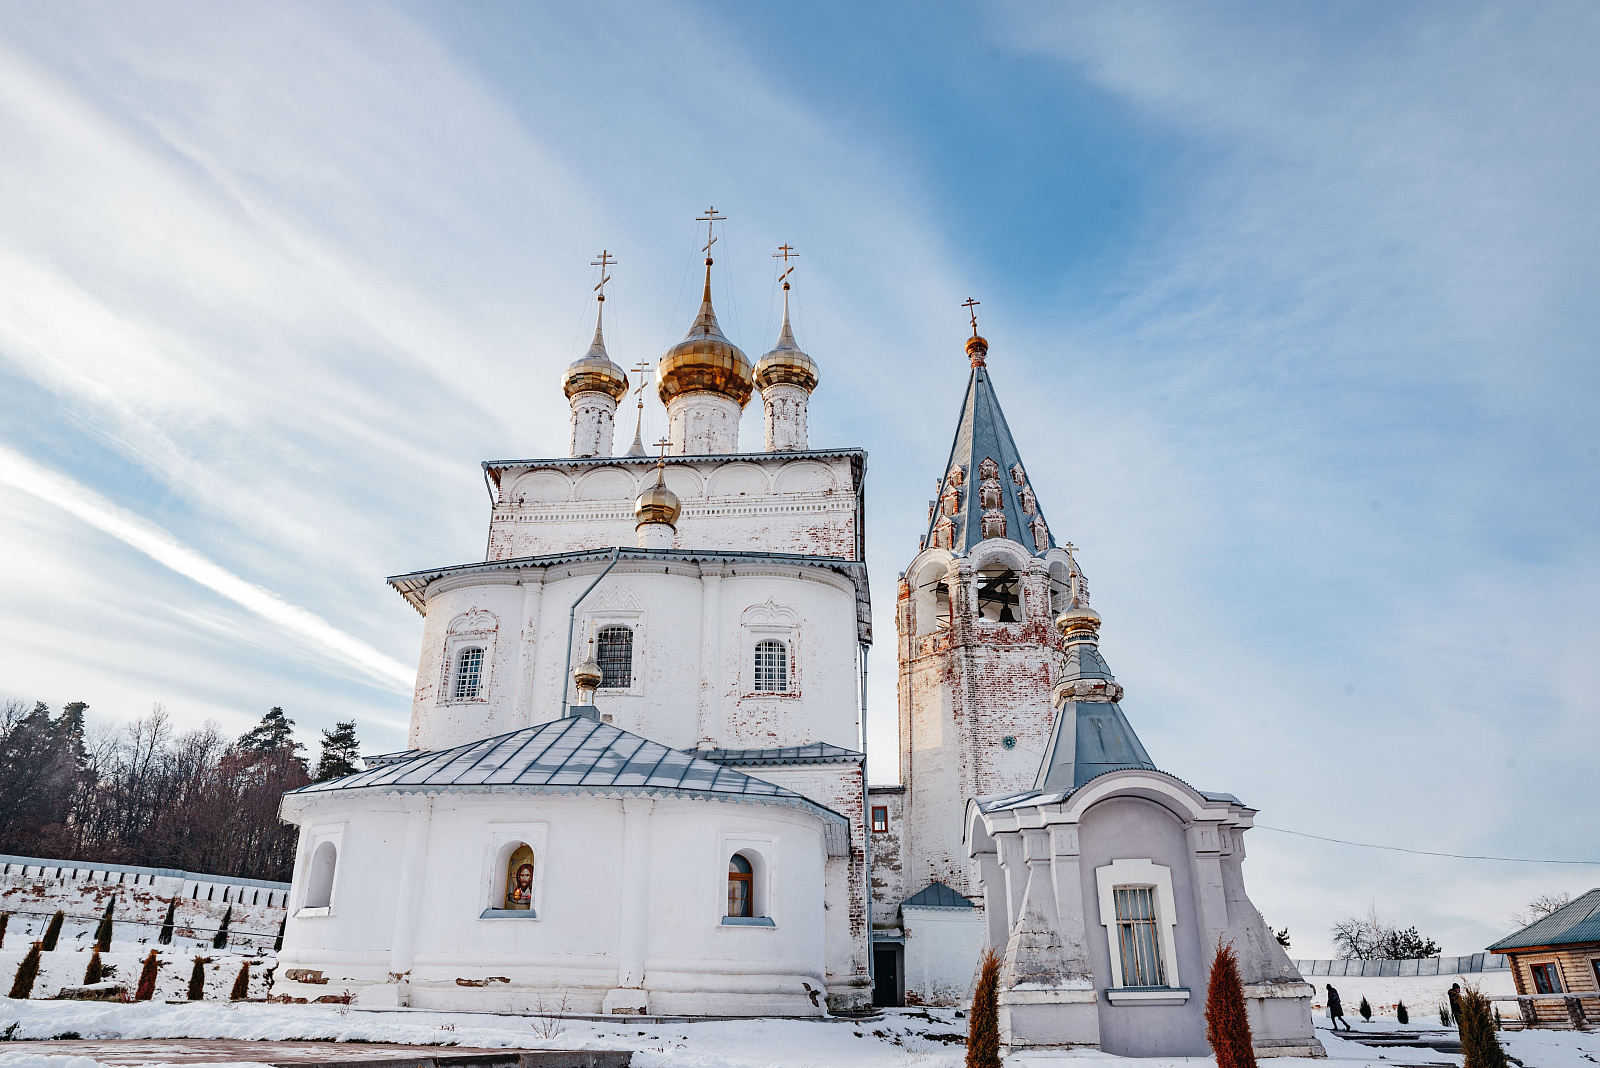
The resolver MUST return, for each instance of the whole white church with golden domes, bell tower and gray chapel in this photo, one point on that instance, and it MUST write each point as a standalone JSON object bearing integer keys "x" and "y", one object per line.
{"x": 636, "y": 776}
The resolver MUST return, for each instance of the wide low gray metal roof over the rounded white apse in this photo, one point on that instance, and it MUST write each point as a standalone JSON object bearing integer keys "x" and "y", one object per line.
{"x": 578, "y": 755}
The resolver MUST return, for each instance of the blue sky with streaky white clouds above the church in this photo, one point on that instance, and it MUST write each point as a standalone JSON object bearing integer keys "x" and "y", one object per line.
{"x": 1290, "y": 308}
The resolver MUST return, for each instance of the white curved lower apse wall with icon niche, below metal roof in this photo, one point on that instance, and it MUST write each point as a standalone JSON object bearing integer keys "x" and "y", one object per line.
{"x": 591, "y": 899}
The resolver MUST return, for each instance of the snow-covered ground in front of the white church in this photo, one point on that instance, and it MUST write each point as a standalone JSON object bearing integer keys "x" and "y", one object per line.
{"x": 902, "y": 1038}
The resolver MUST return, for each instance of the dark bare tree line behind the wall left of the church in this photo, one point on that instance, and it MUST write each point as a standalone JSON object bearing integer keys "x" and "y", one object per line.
{"x": 150, "y": 795}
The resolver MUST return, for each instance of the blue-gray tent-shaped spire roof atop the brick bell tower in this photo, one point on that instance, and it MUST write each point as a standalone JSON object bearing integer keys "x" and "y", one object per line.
{"x": 985, "y": 490}
